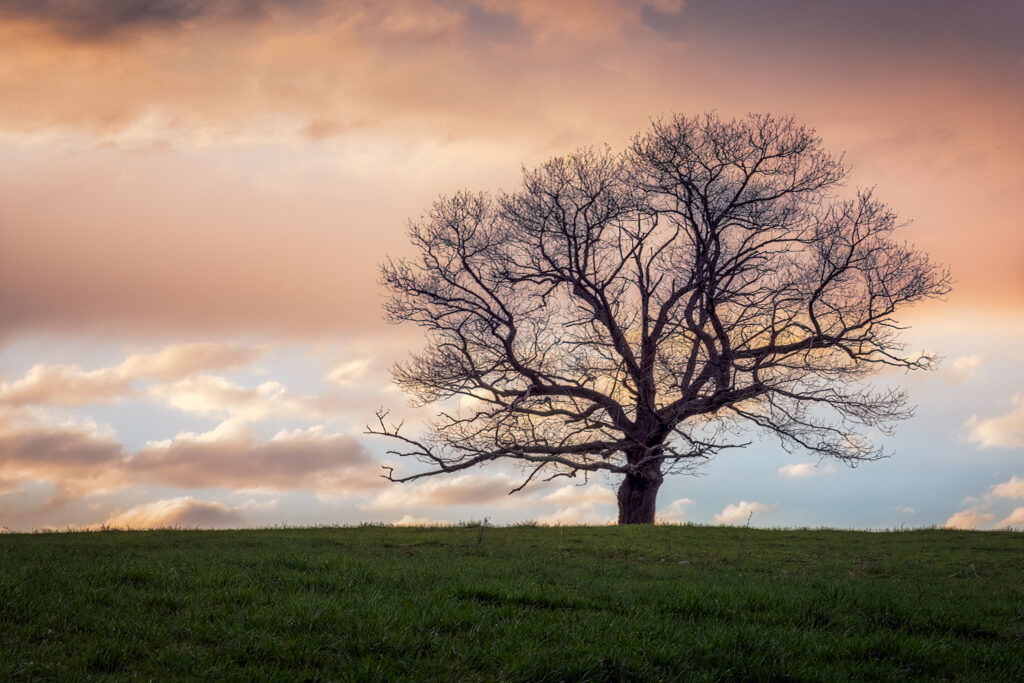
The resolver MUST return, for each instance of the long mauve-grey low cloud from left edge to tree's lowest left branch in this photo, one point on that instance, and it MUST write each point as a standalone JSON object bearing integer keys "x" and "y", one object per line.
{"x": 82, "y": 459}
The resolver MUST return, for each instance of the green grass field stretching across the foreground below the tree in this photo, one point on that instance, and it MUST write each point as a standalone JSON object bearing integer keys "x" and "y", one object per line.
{"x": 514, "y": 604}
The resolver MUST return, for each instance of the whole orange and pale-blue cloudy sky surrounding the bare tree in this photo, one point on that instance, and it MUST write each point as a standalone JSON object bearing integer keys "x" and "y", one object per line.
{"x": 196, "y": 195}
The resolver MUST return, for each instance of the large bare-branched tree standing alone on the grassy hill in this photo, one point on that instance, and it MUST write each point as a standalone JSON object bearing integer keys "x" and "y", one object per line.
{"x": 629, "y": 314}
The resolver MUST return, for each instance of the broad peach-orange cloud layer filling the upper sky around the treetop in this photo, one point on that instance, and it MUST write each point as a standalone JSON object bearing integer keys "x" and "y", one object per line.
{"x": 273, "y": 126}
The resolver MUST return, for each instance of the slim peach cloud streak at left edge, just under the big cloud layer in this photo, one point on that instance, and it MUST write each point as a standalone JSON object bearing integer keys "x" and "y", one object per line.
{"x": 70, "y": 386}
